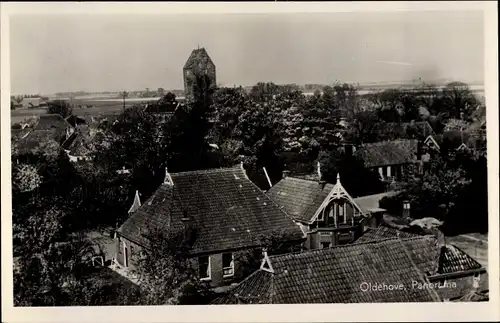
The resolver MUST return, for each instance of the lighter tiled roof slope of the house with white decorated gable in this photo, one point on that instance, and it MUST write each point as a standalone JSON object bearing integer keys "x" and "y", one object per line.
{"x": 300, "y": 198}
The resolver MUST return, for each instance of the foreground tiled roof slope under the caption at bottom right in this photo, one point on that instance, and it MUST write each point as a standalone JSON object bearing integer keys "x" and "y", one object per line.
{"x": 335, "y": 275}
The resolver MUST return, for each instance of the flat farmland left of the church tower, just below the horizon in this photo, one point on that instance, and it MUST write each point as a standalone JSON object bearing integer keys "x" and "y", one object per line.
{"x": 98, "y": 106}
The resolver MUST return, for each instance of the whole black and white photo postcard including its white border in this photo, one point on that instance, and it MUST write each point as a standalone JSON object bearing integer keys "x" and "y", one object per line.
{"x": 248, "y": 158}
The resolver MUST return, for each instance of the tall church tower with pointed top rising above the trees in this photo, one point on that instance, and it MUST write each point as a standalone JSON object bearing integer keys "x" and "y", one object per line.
{"x": 198, "y": 63}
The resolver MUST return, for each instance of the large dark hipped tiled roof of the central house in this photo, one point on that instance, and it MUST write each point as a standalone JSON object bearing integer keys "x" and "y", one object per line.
{"x": 227, "y": 211}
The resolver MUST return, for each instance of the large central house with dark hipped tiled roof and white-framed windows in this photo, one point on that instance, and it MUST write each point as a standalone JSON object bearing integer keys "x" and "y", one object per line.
{"x": 228, "y": 213}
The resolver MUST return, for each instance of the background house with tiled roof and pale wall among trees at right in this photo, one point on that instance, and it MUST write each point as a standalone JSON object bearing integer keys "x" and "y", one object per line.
{"x": 390, "y": 158}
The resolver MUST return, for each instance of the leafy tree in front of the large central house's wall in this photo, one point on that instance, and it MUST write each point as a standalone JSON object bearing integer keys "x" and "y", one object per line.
{"x": 165, "y": 272}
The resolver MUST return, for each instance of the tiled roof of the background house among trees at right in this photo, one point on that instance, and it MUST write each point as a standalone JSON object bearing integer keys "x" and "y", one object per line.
{"x": 387, "y": 153}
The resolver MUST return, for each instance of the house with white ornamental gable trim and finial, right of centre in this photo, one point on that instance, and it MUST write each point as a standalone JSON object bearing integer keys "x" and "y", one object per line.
{"x": 326, "y": 212}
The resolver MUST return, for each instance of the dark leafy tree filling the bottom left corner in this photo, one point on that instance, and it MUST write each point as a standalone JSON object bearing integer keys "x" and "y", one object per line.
{"x": 47, "y": 269}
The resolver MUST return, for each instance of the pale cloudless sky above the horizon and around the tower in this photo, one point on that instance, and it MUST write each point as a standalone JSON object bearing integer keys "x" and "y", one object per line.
{"x": 58, "y": 53}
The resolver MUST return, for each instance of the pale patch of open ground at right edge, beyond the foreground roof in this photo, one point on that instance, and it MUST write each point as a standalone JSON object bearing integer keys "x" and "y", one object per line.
{"x": 474, "y": 244}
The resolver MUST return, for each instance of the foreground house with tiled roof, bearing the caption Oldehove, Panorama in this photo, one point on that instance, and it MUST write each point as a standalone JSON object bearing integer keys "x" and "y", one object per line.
{"x": 421, "y": 269}
